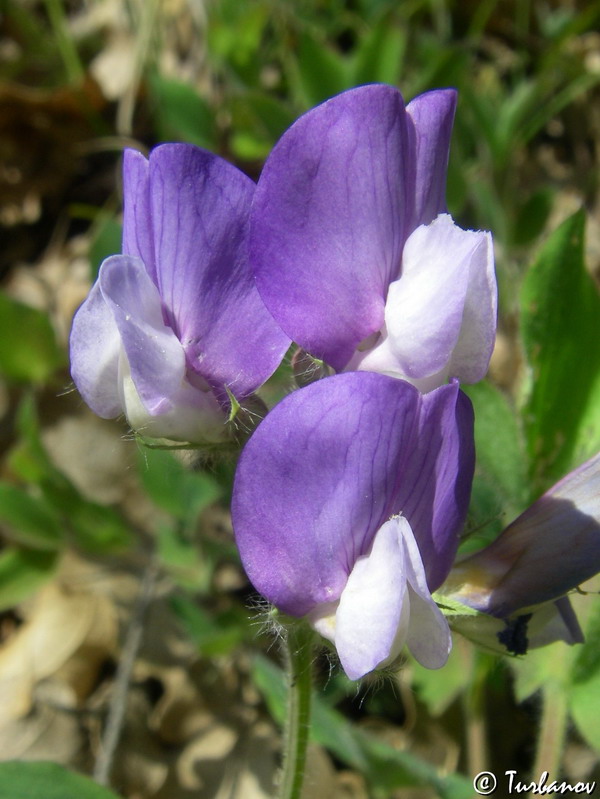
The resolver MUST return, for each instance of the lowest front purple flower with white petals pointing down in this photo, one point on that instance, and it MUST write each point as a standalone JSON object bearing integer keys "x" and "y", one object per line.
{"x": 347, "y": 505}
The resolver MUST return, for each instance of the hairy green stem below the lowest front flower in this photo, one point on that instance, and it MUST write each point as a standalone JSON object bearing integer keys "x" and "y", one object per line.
{"x": 297, "y": 725}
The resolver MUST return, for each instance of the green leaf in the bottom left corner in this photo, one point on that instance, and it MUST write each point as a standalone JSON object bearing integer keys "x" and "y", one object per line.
{"x": 44, "y": 780}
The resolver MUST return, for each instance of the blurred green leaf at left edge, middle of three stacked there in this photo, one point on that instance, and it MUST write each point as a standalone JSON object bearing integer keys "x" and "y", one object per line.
{"x": 31, "y": 521}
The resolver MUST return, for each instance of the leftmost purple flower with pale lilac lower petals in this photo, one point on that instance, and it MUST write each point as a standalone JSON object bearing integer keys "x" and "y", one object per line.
{"x": 175, "y": 322}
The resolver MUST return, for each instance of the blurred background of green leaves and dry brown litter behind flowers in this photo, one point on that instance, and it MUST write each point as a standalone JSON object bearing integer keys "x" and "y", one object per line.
{"x": 101, "y": 538}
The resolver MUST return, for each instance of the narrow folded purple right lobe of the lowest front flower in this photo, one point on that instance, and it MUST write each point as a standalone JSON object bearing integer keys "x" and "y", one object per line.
{"x": 435, "y": 491}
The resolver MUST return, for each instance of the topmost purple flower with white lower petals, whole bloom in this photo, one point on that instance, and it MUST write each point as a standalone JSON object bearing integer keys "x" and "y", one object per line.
{"x": 352, "y": 251}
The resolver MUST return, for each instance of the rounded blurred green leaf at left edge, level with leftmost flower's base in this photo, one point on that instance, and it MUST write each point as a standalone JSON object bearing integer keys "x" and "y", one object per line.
{"x": 28, "y": 348}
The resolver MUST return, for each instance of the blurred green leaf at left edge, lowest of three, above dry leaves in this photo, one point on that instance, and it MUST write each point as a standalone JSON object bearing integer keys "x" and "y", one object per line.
{"x": 22, "y": 572}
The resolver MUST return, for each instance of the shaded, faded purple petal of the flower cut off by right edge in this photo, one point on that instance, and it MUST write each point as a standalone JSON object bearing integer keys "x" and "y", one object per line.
{"x": 547, "y": 551}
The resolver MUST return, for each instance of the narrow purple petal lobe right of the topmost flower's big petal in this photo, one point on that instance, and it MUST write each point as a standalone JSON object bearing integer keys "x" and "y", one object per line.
{"x": 432, "y": 115}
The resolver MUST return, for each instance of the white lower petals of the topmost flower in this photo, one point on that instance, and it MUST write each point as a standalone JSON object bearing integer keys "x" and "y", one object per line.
{"x": 440, "y": 315}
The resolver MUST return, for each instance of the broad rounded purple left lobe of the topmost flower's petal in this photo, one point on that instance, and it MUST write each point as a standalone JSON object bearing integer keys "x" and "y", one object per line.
{"x": 330, "y": 217}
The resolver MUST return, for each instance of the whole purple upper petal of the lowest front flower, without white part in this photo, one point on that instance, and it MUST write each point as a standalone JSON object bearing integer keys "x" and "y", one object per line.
{"x": 331, "y": 463}
